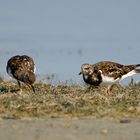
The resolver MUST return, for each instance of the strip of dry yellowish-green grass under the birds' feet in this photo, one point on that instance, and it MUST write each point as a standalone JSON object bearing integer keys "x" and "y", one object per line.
{"x": 69, "y": 101}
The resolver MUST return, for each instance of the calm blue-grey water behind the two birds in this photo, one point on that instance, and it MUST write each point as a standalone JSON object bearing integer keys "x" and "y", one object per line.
{"x": 63, "y": 34}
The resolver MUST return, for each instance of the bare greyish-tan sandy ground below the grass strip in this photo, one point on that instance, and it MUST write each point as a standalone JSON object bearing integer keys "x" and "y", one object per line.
{"x": 62, "y": 129}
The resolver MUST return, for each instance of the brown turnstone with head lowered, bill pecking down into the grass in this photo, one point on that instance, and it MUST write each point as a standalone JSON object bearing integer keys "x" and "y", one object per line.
{"x": 22, "y": 68}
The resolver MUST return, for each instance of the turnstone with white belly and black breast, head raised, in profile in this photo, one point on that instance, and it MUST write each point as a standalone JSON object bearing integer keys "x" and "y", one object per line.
{"x": 107, "y": 73}
